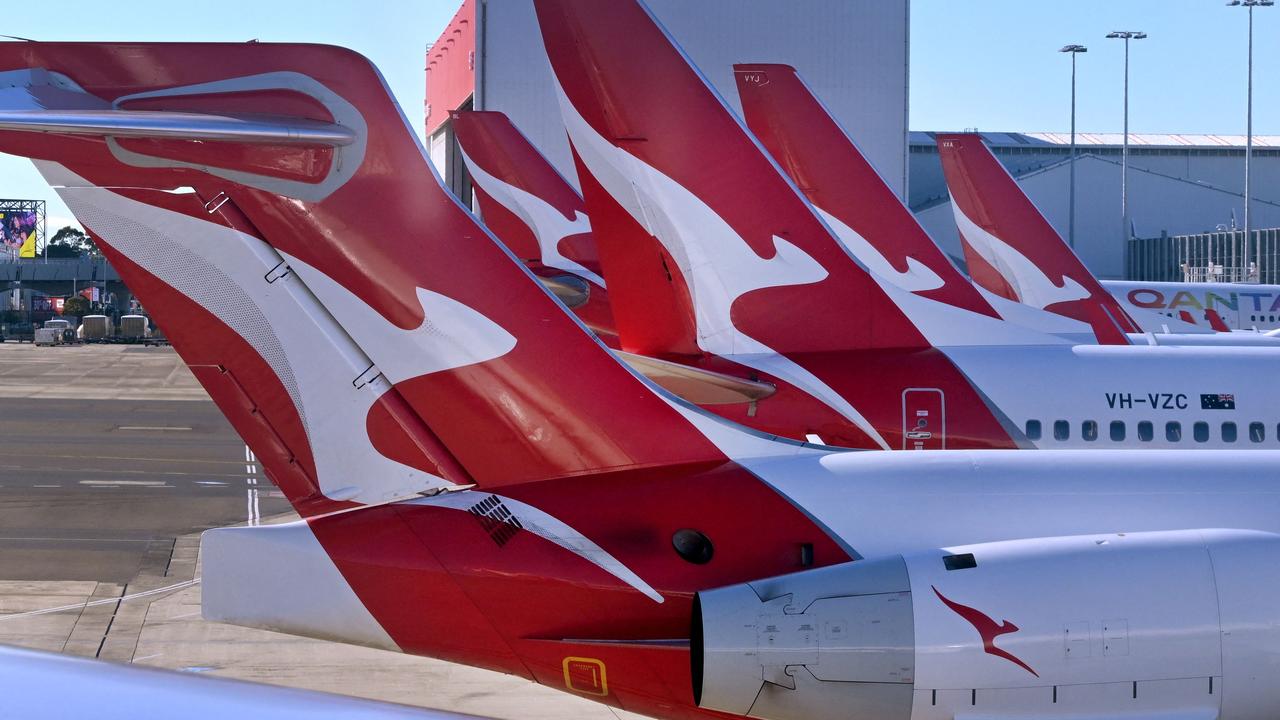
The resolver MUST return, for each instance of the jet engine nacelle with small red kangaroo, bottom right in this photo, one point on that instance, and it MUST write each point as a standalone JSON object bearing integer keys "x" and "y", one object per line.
{"x": 1144, "y": 625}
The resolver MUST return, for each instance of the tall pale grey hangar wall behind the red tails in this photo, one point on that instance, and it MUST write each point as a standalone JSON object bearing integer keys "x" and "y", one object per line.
{"x": 853, "y": 53}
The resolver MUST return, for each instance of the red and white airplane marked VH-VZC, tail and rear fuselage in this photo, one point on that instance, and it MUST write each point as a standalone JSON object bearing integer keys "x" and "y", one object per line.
{"x": 698, "y": 218}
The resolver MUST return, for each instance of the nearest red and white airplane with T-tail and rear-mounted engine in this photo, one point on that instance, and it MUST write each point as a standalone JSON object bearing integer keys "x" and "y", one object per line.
{"x": 614, "y": 541}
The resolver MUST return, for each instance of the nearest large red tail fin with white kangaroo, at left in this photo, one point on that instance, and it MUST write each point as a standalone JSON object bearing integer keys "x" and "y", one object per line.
{"x": 273, "y": 211}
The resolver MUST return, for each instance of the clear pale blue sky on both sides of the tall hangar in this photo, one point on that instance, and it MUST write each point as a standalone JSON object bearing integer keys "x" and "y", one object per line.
{"x": 993, "y": 65}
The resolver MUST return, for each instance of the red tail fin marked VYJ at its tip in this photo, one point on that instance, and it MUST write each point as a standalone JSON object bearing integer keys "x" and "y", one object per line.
{"x": 845, "y": 189}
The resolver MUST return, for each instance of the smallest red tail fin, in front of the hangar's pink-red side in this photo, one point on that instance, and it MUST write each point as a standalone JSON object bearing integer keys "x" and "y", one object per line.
{"x": 534, "y": 212}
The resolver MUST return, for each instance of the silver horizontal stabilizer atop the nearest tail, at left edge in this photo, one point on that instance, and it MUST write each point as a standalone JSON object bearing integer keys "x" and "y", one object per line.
{"x": 159, "y": 125}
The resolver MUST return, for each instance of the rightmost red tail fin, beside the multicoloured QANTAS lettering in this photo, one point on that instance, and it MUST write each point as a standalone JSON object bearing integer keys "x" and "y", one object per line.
{"x": 1011, "y": 248}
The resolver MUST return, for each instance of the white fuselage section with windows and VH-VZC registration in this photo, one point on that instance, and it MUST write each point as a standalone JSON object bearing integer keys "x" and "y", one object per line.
{"x": 1089, "y": 397}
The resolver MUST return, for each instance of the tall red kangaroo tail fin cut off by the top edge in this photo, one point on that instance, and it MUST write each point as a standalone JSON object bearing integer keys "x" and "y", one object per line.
{"x": 676, "y": 170}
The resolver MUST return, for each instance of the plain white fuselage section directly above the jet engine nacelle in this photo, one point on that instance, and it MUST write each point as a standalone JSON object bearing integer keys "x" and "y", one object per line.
{"x": 894, "y": 503}
